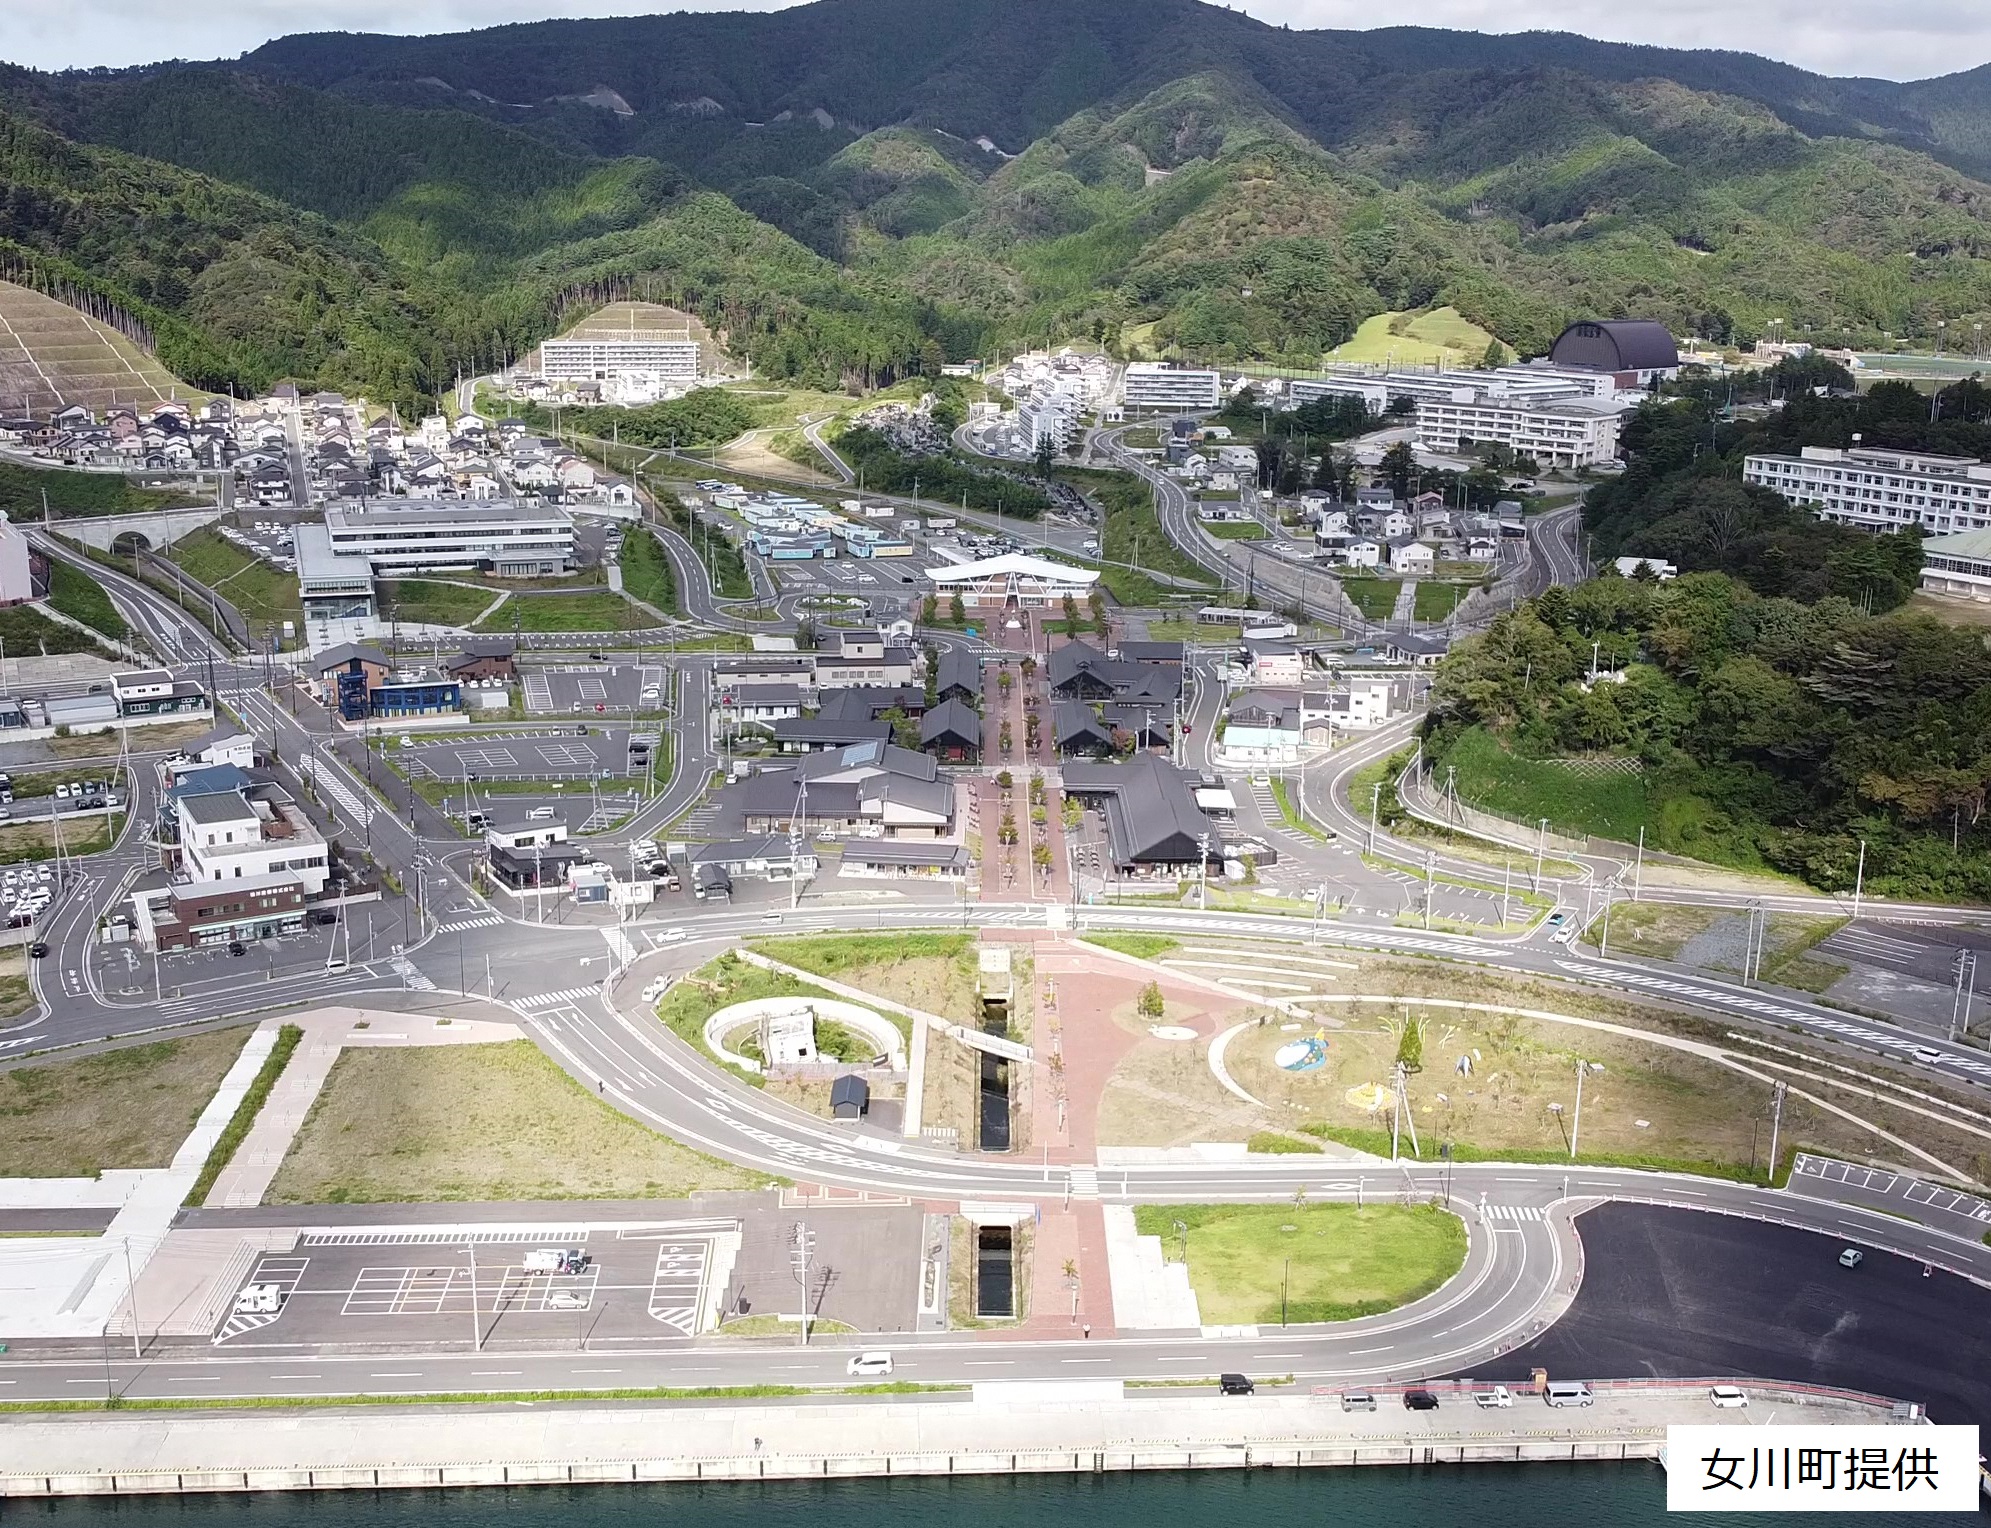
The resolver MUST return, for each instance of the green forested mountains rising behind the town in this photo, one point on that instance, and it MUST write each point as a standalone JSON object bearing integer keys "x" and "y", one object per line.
{"x": 843, "y": 184}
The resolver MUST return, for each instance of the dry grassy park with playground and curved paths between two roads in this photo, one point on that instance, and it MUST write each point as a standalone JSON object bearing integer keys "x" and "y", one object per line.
{"x": 1650, "y": 1103}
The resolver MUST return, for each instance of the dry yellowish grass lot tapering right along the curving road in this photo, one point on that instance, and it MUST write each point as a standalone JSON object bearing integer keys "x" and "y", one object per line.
{"x": 479, "y": 1123}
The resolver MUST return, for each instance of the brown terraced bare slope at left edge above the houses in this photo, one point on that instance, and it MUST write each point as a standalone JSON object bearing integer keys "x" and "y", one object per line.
{"x": 53, "y": 356}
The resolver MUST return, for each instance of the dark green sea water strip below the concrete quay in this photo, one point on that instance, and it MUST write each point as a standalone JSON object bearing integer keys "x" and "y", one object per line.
{"x": 1381, "y": 1497}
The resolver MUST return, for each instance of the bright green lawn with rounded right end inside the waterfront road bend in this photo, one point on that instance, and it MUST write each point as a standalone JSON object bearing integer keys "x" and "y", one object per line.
{"x": 1345, "y": 1262}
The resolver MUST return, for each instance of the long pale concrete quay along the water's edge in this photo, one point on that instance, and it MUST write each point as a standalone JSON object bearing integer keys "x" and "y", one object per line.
{"x": 1032, "y": 1433}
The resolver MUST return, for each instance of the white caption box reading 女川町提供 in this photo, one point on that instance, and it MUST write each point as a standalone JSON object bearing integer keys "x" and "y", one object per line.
{"x": 1823, "y": 1469}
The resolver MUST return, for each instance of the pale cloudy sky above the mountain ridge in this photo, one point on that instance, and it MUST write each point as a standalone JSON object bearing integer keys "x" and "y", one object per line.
{"x": 1888, "y": 39}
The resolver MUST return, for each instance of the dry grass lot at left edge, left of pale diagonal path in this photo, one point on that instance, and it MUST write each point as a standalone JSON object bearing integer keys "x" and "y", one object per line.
{"x": 124, "y": 1109}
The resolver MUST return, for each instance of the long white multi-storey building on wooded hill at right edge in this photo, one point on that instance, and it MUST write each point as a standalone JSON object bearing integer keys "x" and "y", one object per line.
{"x": 1880, "y": 489}
